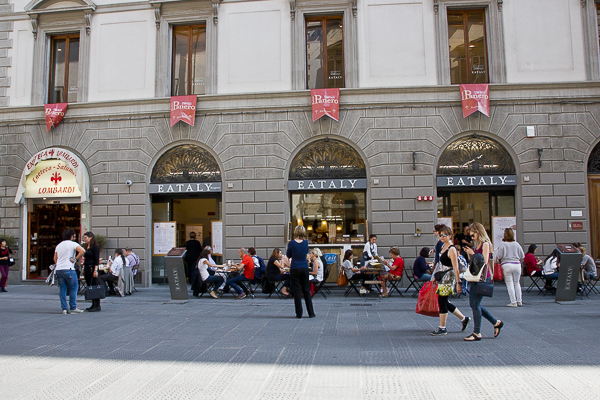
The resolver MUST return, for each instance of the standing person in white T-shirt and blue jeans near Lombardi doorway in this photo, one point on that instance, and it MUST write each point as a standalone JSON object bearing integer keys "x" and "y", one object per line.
{"x": 66, "y": 254}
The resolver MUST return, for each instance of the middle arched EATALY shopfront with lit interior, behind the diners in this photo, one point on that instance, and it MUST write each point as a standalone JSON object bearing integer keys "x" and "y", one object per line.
{"x": 328, "y": 191}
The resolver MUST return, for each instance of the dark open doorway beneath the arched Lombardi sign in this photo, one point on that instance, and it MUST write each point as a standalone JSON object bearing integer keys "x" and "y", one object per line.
{"x": 45, "y": 224}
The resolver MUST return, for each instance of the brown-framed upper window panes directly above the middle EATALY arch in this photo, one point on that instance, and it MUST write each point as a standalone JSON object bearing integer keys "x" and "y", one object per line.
{"x": 324, "y": 52}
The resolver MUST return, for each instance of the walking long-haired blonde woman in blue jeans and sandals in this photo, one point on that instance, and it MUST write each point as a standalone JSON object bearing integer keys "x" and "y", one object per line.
{"x": 482, "y": 246}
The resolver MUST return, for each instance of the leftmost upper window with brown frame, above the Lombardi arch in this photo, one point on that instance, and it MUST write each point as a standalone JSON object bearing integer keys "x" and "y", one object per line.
{"x": 64, "y": 69}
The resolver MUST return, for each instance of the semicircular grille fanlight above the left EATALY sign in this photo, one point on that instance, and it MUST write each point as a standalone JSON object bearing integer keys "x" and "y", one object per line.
{"x": 186, "y": 163}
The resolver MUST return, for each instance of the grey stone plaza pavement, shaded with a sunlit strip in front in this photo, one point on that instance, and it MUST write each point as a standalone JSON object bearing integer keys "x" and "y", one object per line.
{"x": 147, "y": 347}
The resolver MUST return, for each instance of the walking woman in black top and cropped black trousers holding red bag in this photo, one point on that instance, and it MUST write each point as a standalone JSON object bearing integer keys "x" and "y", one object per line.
{"x": 445, "y": 274}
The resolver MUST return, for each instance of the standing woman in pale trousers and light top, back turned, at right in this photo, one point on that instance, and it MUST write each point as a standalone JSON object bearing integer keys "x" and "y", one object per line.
{"x": 510, "y": 255}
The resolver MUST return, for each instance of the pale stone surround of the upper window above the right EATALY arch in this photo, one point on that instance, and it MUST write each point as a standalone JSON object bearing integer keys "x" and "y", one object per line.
{"x": 494, "y": 41}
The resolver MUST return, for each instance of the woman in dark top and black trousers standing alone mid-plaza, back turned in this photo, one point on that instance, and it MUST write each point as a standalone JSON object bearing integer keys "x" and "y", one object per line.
{"x": 297, "y": 250}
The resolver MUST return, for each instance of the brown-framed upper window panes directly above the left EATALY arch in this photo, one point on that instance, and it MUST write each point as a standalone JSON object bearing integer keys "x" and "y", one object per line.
{"x": 189, "y": 60}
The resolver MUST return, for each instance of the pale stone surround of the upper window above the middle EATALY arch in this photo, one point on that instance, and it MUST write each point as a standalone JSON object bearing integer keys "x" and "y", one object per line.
{"x": 344, "y": 8}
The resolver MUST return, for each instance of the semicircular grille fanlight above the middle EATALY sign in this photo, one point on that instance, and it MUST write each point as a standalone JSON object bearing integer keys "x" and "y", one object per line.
{"x": 328, "y": 159}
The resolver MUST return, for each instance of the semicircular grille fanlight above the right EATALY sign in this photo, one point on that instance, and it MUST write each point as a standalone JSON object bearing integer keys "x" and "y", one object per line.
{"x": 475, "y": 155}
